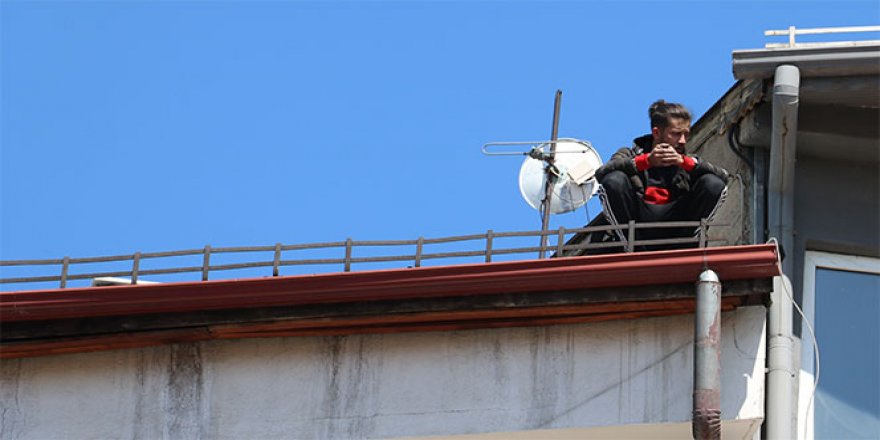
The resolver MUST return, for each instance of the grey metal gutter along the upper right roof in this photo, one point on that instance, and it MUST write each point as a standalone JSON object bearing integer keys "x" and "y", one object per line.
{"x": 812, "y": 61}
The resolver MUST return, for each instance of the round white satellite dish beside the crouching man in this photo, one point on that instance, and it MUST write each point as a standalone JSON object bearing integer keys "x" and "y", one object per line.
{"x": 574, "y": 166}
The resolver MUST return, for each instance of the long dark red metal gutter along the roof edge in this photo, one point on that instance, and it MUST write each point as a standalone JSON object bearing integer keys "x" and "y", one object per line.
{"x": 560, "y": 274}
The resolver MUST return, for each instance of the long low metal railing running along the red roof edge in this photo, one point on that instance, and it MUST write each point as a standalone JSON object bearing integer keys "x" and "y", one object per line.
{"x": 489, "y": 249}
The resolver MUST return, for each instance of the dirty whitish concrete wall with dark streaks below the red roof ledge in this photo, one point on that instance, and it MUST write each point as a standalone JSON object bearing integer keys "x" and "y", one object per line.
{"x": 465, "y": 382}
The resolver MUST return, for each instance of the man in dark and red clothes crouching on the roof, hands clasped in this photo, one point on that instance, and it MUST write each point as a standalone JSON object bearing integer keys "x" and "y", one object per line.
{"x": 656, "y": 180}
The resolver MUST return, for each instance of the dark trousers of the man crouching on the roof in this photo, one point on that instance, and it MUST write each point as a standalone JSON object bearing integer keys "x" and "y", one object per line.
{"x": 622, "y": 204}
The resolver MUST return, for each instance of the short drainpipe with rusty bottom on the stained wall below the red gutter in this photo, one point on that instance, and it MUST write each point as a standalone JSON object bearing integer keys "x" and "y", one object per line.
{"x": 707, "y": 358}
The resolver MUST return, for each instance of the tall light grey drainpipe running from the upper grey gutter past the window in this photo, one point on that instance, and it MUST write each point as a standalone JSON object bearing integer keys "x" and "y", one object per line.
{"x": 781, "y": 385}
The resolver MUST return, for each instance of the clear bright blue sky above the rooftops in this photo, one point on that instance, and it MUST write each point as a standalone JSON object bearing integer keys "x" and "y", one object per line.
{"x": 133, "y": 125}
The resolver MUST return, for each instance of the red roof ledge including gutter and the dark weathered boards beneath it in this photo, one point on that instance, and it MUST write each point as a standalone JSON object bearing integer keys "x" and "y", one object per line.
{"x": 492, "y": 295}
